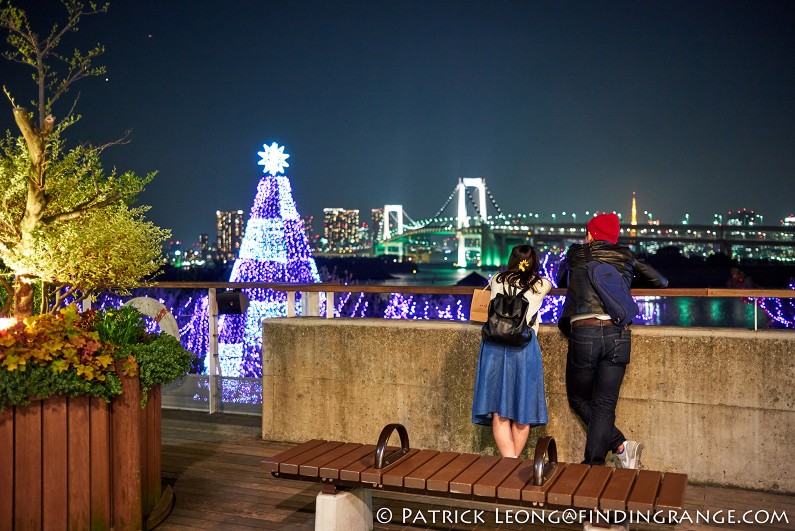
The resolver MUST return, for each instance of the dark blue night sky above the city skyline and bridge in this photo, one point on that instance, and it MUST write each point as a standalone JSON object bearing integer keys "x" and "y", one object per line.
{"x": 560, "y": 106}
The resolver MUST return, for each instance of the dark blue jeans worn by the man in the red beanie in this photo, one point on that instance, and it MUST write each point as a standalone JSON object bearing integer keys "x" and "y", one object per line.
{"x": 596, "y": 361}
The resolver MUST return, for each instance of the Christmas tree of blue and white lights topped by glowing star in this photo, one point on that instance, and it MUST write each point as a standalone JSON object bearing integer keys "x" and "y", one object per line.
{"x": 274, "y": 249}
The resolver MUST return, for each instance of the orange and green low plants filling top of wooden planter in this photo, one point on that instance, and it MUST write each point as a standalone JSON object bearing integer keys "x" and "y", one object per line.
{"x": 85, "y": 354}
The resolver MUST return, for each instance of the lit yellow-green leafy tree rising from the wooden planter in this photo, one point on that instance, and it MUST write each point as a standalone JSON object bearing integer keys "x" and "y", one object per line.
{"x": 64, "y": 220}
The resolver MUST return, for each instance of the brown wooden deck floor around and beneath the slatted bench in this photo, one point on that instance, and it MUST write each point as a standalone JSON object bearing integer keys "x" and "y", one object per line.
{"x": 213, "y": 465}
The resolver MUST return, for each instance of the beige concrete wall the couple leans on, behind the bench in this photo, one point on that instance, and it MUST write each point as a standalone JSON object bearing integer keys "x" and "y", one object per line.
{"x": 716, "y": 404}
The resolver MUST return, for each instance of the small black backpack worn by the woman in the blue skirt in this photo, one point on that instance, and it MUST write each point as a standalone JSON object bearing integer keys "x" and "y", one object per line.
{"x": 507, "y": 323}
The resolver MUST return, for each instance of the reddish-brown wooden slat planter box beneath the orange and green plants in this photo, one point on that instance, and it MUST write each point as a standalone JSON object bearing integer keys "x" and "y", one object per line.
{"x": 80, "y": 463}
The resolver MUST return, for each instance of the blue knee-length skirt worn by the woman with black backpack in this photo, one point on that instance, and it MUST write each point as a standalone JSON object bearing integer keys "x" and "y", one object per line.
{"x": 510, "y": 381}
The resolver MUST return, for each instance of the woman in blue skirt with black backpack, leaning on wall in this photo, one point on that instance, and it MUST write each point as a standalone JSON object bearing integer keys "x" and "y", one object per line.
{"x": 509, "y": 382}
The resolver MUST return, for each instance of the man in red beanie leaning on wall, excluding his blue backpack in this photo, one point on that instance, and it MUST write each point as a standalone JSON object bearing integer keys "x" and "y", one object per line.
{"x": 599, "y": 350}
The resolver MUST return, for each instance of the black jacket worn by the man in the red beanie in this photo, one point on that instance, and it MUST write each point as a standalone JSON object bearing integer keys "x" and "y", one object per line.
{"x": 573, "y": 274}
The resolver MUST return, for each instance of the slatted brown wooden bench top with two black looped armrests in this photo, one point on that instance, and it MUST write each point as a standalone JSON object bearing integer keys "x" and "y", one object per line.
{"x": 543, "y": 482}
